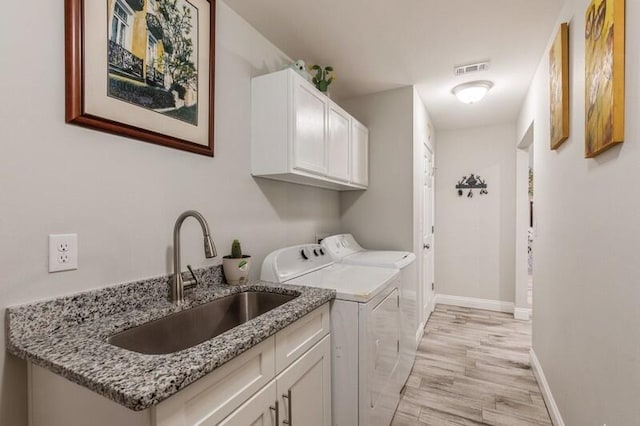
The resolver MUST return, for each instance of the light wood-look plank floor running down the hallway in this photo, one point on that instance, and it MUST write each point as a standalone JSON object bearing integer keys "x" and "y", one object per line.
{"x": 472, "y": 368}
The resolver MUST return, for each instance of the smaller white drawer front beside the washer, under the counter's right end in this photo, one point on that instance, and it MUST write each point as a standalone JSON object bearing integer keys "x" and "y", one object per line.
{"x": 300, "y": 336}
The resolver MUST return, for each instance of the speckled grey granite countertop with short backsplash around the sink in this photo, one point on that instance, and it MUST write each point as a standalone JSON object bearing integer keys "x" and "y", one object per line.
{"x": 68, "y": 335}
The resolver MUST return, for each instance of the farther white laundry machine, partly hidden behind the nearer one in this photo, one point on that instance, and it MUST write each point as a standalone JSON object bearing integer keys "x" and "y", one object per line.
{"x": 344, "y": 249}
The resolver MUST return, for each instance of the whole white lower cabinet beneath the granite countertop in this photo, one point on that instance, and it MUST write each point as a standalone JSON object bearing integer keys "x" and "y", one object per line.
{"x": 249, "y": 390}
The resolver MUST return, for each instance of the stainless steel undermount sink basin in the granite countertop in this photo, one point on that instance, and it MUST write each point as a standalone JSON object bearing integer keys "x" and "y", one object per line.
{"x": 188, "y": 328}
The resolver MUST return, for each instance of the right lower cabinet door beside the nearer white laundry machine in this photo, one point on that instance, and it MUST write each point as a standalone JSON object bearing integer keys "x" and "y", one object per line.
{"x": 304, "y": 389}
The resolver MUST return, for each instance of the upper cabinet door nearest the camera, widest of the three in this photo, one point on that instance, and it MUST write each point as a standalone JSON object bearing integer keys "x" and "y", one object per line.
{"x": 309, "y": 130}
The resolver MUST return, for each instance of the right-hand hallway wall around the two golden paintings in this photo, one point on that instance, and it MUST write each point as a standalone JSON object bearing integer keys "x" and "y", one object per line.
{"x": 586, "y": 327}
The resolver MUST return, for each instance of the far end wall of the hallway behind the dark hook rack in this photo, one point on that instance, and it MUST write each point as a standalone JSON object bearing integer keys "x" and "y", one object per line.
{"x": 475, "y": 252}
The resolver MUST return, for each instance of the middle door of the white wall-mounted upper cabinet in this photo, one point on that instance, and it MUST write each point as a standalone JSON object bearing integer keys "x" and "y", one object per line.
{"x": 338, "y": 144}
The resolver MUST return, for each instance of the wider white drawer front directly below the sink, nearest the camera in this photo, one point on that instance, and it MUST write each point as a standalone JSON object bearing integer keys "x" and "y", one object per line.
{"x": 213, "y": 397}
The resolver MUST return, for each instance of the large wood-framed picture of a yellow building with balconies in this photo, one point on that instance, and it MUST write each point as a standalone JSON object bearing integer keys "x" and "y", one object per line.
{"x": 143, "y": 69}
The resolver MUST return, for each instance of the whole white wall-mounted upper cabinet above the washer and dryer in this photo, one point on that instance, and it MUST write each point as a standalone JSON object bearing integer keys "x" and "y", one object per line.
{"x": 299, "y": 135}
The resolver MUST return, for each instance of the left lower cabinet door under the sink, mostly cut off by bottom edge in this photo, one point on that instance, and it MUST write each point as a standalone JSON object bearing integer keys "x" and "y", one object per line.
{"x": 259, "y": 410}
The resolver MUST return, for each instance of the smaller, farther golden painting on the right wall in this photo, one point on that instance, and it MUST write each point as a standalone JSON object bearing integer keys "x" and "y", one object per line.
{"x": 559, "y": 87}
